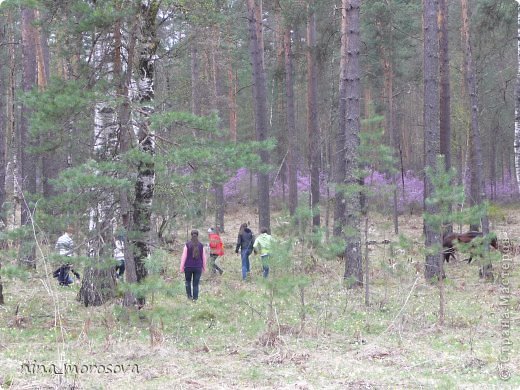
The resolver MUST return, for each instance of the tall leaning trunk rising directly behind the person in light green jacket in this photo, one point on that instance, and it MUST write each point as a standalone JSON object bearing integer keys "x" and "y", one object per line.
{"x": 260, "y": 104}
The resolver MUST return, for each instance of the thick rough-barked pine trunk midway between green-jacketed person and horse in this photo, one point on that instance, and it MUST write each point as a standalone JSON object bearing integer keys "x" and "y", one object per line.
{"x": 351, "y": 44}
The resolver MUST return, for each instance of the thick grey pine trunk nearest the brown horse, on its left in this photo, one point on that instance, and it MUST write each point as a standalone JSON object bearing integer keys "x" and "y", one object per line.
{"x": 431, "y": 128}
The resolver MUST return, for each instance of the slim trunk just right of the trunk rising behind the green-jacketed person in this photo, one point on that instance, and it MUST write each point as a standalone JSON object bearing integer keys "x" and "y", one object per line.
{"x": 291, "y": 123}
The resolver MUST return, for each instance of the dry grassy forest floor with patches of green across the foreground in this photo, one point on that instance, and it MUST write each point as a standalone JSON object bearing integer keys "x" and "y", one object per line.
{"x": 225, "y": 341}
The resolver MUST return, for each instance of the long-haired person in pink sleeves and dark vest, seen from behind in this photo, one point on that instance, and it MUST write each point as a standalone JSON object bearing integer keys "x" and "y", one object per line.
{"x": 193, "y": 264}
